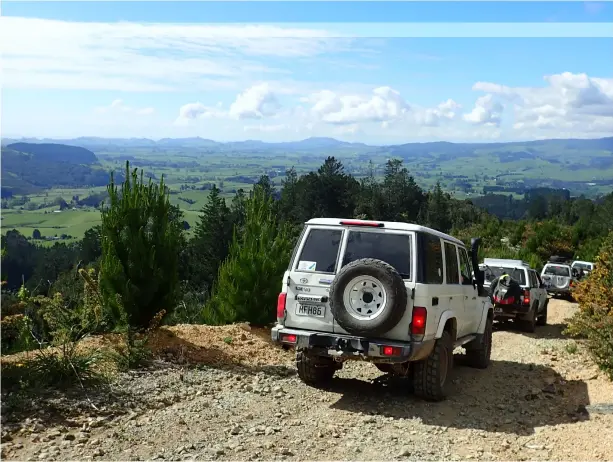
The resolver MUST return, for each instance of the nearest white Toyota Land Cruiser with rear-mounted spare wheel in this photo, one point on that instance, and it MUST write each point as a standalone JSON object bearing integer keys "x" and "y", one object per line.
{"x": 399, "y": 295}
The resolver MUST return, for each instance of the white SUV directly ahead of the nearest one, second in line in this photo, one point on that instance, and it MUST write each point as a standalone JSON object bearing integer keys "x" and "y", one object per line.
{"x": 531, "y": 309}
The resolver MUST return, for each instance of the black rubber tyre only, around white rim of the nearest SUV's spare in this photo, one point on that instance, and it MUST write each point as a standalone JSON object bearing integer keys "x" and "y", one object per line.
{"x": 390, "y": 281}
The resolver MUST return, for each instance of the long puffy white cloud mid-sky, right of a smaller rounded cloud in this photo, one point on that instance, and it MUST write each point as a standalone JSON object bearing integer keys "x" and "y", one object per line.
{"x": 383, "y": 104}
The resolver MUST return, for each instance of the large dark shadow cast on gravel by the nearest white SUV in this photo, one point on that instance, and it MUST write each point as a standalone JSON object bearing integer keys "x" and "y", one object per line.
{"x": 509, "y": 397}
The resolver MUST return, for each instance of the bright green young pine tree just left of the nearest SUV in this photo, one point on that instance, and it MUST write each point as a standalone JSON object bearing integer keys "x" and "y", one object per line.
{"x": 248, "y": 283}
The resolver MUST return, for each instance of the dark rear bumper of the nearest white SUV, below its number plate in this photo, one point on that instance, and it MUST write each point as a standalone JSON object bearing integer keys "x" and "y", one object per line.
{"x": 352, "y": 347}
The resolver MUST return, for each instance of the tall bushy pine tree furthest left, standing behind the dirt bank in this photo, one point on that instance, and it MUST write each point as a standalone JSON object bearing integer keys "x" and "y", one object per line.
{"x": 140, "y": 250}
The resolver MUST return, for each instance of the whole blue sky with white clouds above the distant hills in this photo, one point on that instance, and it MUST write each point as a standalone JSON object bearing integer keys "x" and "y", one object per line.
{"x": 280, "y": 70}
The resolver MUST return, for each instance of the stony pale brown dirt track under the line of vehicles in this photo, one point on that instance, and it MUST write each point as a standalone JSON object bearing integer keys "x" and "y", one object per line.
{"x": 538, "y": 401}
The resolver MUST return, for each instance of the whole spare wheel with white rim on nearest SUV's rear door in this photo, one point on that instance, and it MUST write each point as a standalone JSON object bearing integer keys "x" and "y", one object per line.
{"x": 368, "y": 297}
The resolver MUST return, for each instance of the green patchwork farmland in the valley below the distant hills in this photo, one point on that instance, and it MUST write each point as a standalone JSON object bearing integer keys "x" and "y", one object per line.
{"x": 190, "y": 167}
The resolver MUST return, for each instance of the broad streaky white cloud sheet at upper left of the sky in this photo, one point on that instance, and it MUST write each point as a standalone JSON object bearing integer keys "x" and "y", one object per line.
{"x": 127, "y": 56}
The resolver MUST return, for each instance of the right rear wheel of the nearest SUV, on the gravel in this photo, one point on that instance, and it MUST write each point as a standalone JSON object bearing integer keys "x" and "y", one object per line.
{"x": 431, "y": 376}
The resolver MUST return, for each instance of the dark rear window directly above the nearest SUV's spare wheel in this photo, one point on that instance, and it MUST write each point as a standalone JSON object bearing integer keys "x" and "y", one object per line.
{"x": 394, "y": 249}
